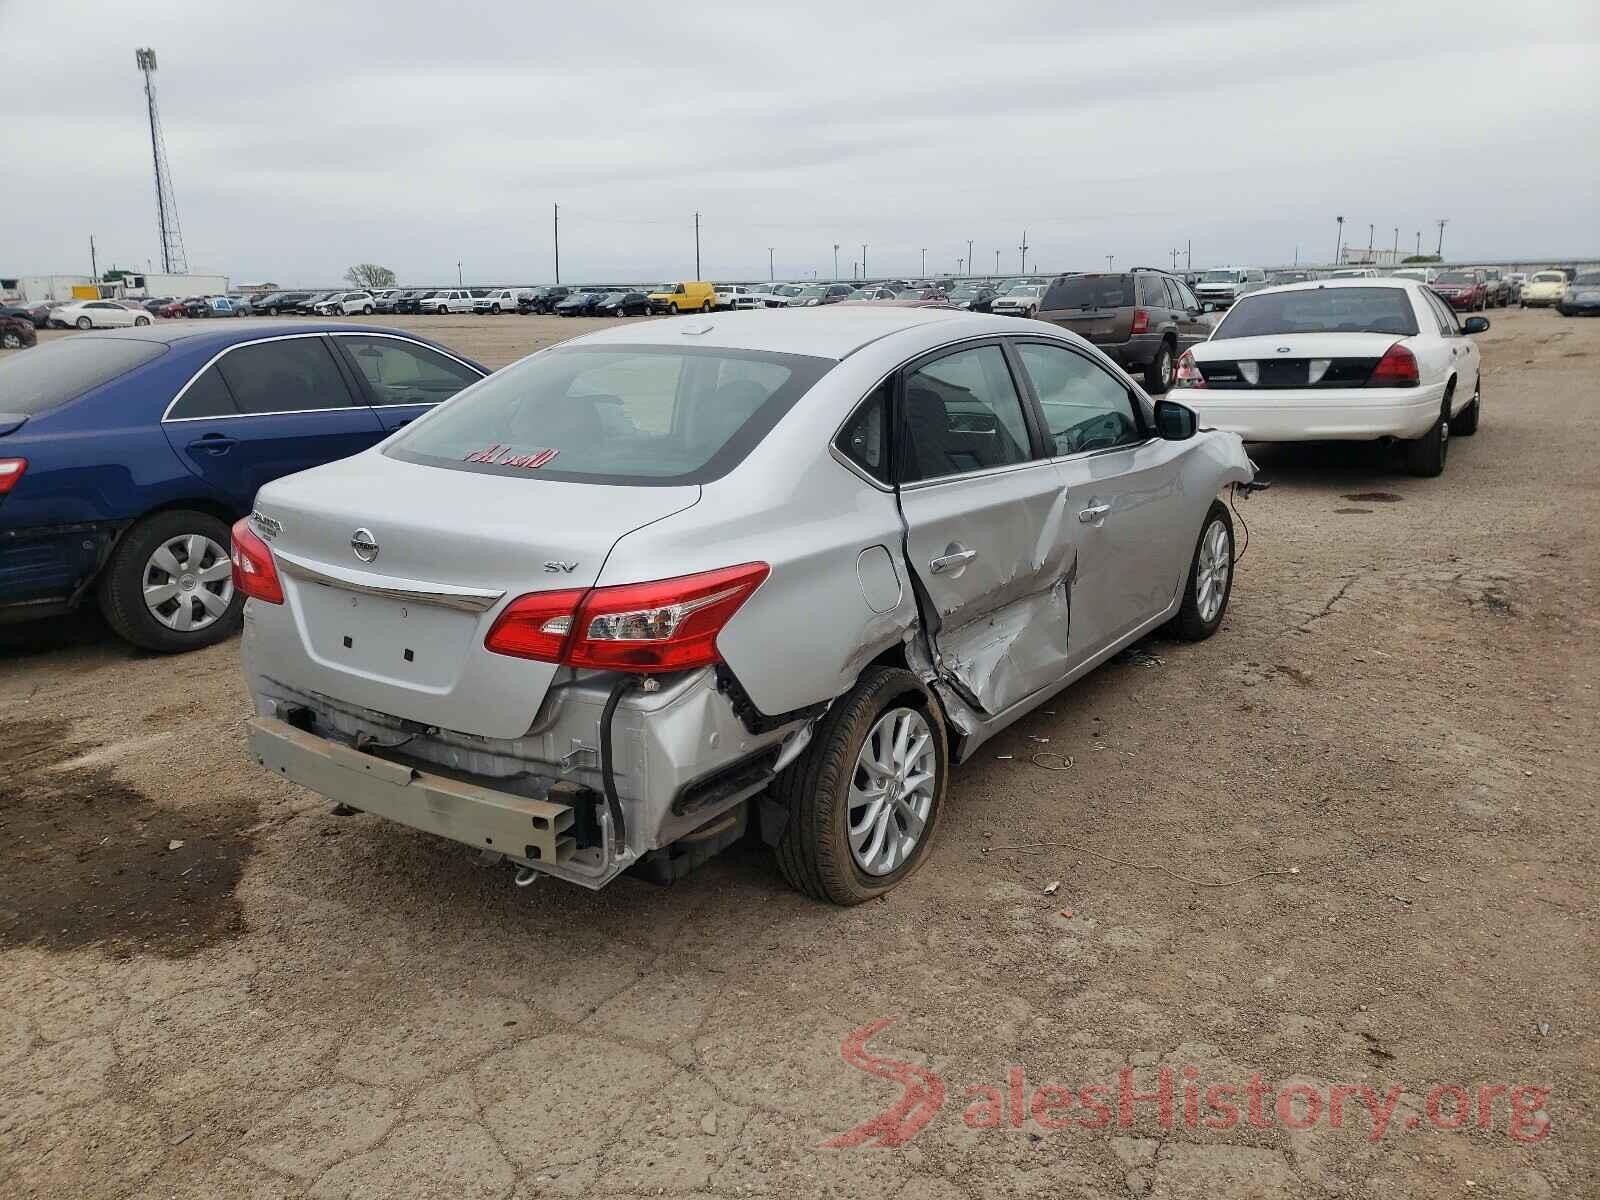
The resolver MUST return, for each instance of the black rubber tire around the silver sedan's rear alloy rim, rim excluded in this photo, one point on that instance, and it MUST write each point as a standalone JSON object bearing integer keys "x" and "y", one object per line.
{"x": 814, "y": 850}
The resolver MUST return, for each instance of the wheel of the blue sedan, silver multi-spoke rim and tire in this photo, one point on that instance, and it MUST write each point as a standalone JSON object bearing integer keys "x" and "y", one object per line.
{"x": 170, "y": 583}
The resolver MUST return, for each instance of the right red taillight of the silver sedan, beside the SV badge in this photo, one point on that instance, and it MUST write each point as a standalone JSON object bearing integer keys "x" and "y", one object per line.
{"x": 670, "y": 625}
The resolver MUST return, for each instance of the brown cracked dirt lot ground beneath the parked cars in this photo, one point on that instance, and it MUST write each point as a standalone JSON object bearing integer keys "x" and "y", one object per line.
{"x": 212, "y": 986}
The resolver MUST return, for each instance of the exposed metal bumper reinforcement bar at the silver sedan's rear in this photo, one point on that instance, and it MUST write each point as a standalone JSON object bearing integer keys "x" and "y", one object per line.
{"x": 522, "y": 828}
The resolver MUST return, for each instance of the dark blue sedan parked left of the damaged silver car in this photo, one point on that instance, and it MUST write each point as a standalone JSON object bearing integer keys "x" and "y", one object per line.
{"x": 126, "y": 457}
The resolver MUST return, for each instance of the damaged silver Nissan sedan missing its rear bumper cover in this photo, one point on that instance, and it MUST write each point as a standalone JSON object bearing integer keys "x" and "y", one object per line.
{"x": 657, "y": 586}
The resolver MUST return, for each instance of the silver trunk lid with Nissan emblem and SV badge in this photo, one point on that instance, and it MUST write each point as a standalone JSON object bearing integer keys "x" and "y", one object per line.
{"x": 394, "y": 572}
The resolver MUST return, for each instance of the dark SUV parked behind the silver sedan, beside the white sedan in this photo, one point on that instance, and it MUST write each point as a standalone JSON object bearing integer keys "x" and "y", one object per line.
{"x": 1143, "y": 319}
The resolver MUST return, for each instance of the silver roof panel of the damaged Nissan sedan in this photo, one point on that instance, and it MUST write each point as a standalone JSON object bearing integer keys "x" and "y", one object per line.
{"x": 823, "y": 332}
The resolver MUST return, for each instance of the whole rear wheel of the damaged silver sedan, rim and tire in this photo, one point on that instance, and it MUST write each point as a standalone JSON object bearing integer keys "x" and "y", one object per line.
{"x": 865, "y": 799}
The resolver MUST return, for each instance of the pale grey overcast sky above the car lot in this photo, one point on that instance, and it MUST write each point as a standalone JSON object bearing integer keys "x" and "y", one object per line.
{"x": 310, "y": 137}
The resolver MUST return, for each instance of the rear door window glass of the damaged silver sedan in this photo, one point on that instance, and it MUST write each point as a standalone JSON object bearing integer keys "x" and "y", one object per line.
{"x": 962, "y": 414}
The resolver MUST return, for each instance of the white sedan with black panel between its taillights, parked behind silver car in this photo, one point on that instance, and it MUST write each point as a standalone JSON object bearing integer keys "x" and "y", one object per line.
{"x": 1359, "y": 361}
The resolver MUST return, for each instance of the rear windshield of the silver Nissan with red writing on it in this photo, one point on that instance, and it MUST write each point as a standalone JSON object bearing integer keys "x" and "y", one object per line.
{"x": 644, "y": 415}
